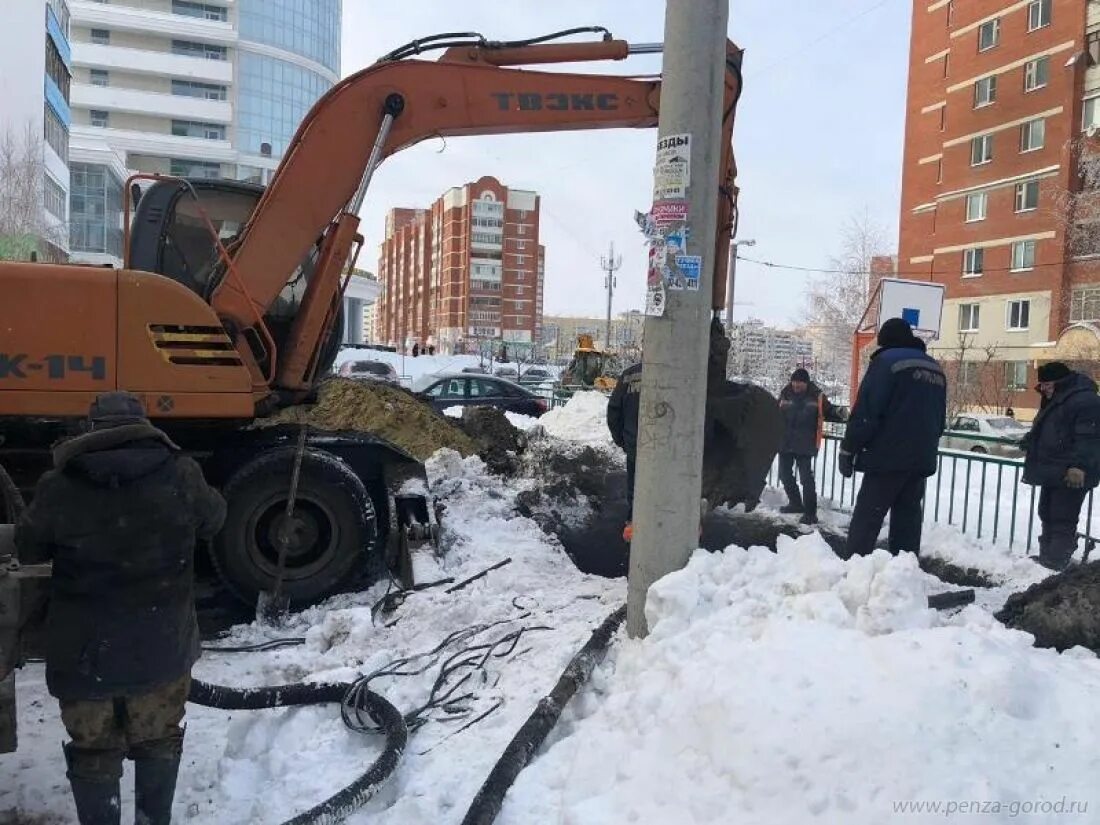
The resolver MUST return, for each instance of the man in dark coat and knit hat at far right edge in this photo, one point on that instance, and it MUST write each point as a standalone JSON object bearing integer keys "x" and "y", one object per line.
{"x": 1063, "y": 458}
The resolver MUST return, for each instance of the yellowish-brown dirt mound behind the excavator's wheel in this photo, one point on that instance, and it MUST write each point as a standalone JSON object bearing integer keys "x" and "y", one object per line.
{"x": 382, "y": 410}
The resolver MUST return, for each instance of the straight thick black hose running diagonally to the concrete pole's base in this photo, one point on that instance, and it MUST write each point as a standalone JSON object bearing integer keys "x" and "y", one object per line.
{"x": 530, "y": 739}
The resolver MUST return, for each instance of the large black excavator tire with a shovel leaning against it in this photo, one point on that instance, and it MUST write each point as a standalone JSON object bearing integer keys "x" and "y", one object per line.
{"x": 337, "y": 527}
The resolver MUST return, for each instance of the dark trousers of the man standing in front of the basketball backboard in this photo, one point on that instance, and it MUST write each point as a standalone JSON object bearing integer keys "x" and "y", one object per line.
{"x": 899, "y": 494}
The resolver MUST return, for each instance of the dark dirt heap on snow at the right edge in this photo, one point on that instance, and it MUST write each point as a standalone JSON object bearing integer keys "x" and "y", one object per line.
{"x": 1061, "y": 612}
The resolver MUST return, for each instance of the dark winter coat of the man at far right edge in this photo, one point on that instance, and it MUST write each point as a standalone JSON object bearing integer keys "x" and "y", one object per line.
{"x": 1066, "y": 434}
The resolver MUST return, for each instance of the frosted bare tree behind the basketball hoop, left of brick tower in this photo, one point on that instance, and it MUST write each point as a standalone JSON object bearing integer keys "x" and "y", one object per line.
{"x": 835, "y": 303}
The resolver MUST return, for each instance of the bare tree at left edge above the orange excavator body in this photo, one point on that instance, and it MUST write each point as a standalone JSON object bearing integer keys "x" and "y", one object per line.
{"x": 24, "y": 225}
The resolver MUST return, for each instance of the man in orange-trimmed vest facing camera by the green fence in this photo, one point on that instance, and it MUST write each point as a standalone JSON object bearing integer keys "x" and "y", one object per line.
{"x": 806, "y": 410}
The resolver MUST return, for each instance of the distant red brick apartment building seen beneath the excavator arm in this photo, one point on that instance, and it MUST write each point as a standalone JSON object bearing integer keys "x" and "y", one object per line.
{"x": 470, "y": 268}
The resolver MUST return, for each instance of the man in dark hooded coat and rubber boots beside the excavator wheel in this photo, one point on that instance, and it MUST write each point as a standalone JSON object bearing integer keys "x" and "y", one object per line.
{"x": 119, "y": 518}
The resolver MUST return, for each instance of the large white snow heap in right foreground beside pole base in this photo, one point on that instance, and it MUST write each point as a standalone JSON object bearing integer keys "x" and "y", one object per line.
{"x": 797, "y": 688}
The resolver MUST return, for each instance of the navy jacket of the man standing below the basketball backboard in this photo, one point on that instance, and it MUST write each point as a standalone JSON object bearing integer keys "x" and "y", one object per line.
{"x": 899, "y": 415}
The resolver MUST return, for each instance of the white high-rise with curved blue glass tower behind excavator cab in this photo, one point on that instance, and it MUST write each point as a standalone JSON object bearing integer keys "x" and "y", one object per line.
{"x": 207, "y": 90}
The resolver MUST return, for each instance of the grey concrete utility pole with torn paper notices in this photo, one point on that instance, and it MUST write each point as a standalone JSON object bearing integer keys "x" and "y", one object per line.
{"x": 674, "y": 388}
